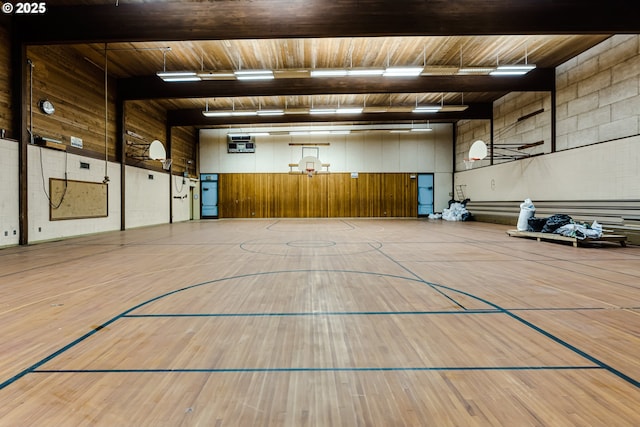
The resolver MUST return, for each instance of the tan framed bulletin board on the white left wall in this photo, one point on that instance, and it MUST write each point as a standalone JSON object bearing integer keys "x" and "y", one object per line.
{"x": 77, "y": 199}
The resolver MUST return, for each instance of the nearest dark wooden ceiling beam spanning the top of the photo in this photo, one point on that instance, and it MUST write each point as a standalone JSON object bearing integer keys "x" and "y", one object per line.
{"x": 260, "y": 19}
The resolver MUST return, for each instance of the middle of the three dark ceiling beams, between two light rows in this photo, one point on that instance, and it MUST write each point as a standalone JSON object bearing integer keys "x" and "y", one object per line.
{"x": 139, "y": 88}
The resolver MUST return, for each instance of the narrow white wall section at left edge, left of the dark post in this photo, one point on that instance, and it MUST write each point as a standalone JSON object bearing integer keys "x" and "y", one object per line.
{"x": 9, "y": 213}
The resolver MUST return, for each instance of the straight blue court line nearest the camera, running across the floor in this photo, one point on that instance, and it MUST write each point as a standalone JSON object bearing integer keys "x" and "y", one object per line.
{"x": 354, "y": 369}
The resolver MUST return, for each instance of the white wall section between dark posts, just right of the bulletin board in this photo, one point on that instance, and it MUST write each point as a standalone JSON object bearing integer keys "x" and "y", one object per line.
{"x": 146, "y": 200}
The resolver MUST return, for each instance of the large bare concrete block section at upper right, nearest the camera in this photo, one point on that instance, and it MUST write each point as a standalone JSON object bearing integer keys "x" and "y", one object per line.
{"x": 597, "y": 94}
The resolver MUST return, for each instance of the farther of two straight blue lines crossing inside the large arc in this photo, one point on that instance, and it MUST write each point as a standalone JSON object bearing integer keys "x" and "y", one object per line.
{"x": 315, "y": 313}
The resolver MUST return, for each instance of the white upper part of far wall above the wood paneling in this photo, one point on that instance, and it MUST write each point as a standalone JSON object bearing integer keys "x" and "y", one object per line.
{"x": 372, "y": 151}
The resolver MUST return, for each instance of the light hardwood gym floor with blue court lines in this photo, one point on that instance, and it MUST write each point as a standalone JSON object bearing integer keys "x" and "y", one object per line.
{"x": 345, "y": 322}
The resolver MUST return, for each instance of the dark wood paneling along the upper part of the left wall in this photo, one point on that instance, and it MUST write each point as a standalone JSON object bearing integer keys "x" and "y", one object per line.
{"x": 76, "y": 87}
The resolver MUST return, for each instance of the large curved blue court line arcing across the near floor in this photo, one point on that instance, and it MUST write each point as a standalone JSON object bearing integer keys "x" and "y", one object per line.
{"x": 416, "y": 278}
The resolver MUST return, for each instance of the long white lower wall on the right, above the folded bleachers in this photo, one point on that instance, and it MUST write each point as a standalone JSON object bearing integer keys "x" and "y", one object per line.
{"x": 607, "y": 171}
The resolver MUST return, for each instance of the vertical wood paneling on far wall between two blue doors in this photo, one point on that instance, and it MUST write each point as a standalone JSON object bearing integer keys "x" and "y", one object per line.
{"x": 277, "y": 195}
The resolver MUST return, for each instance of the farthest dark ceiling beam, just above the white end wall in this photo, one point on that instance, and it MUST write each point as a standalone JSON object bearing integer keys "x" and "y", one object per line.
{"x": 194, "y": 117}
